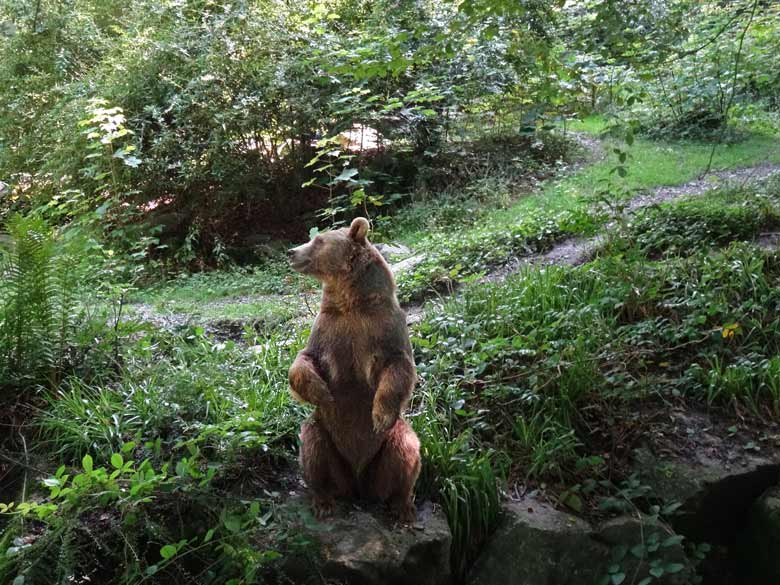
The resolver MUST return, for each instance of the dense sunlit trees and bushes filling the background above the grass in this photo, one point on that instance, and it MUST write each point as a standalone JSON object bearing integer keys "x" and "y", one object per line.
{"x": 194, "y": 124}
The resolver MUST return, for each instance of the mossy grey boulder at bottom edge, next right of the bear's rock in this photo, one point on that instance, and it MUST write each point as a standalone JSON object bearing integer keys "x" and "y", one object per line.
{"x": 536, "y": 545}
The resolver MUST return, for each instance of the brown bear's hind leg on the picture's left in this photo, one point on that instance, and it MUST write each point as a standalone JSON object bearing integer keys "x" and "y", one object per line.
{"x": 325, "y": 471}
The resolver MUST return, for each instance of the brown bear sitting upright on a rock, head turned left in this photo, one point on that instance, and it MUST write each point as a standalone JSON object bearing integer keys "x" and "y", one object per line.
{"x": 358, "y": 371}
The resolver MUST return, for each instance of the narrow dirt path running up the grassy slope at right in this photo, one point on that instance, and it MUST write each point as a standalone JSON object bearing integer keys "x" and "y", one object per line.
{"x": 578, "y": 250}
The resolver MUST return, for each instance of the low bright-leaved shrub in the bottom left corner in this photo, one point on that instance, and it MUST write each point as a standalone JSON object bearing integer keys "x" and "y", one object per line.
{"x": 122, "y": 522}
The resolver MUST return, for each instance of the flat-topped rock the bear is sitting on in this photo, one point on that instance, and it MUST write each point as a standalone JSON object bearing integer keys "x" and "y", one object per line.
{"x": 360, "y": 548}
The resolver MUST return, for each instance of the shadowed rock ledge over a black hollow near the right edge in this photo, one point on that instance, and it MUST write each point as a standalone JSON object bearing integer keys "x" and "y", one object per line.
{"x": 715, "y": 496}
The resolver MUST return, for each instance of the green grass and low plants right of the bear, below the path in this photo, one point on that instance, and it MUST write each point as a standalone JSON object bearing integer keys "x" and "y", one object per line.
{"x": 515, "y": 363}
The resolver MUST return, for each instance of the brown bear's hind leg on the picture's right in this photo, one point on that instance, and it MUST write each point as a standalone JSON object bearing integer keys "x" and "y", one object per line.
{"x": 394, "y": 471}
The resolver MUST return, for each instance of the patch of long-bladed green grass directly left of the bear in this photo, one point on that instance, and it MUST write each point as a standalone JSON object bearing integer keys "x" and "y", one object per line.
{"x": 179, "y": 389}
